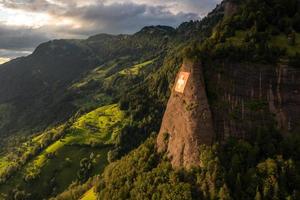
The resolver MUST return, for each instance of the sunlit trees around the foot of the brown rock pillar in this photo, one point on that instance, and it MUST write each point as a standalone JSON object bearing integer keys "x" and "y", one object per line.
{"x": 264, "y": 167}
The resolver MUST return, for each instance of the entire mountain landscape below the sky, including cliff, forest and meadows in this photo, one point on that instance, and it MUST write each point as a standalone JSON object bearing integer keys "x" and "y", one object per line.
{"x": 113, "y": 117}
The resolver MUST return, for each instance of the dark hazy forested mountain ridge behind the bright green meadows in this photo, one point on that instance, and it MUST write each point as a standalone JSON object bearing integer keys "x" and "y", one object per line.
{"x": 35, "y": 90}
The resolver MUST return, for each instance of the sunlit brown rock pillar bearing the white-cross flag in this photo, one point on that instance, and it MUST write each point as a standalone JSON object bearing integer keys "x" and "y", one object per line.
{"x": 187, "y": 122}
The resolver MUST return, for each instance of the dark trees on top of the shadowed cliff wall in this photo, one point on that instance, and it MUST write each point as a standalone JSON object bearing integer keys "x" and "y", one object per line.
{"x": 260, "y": 21}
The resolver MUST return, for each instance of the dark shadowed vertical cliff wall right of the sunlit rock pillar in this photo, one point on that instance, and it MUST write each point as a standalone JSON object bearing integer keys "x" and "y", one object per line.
{"x": 245, "y": 98}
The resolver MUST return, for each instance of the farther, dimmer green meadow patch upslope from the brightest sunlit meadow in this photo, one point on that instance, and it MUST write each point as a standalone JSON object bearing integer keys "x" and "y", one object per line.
{"x": 116, "y": 74}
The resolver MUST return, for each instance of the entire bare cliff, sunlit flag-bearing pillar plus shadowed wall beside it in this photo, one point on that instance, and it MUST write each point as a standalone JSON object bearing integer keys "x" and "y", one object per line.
{"x": 242, "y": 99}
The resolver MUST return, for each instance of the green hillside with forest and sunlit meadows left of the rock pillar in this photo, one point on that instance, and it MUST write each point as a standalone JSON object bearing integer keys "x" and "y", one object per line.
{"x": 78, "y": 103}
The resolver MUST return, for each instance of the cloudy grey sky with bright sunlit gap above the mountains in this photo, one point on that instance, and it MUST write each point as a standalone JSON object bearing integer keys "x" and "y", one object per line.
{"x": 24, "y": 24}
